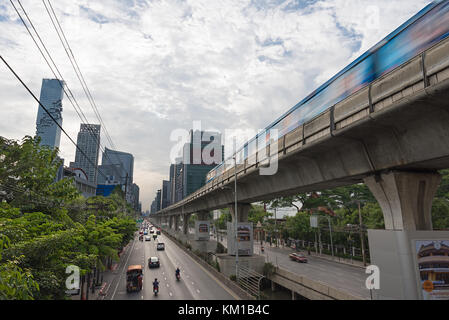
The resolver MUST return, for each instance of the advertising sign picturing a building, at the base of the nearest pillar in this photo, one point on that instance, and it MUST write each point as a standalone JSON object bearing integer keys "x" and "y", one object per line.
{"x": 432, "y": 257}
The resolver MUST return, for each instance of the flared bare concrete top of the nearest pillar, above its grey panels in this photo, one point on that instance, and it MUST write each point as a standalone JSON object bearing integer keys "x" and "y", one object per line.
{"x": 405, "y": 198}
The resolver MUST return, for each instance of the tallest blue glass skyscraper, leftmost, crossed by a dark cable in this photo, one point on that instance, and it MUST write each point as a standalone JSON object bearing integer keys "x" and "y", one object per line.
{"x": 51, "y": 98}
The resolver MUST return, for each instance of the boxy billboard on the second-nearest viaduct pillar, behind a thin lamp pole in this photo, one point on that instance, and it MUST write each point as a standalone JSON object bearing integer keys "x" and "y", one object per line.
{"x": 244, "y": 238}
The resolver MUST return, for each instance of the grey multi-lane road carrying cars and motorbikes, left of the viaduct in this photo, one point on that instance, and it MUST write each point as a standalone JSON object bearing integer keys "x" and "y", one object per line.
{"x": 196, "y": 282}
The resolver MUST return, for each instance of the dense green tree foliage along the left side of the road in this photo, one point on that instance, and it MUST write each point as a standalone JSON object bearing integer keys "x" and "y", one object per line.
{"x": 47, "y": 225}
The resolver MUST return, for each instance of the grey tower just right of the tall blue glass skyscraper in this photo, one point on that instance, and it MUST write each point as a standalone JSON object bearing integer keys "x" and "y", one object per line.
{"x": 89, "y": 142}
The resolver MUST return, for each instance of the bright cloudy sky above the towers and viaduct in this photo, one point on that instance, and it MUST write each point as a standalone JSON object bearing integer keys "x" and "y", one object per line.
{"x": 156, "y": 66}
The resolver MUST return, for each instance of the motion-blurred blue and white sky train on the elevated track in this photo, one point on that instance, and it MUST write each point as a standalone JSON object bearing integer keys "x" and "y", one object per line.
{"x": 417, "y": 34}
